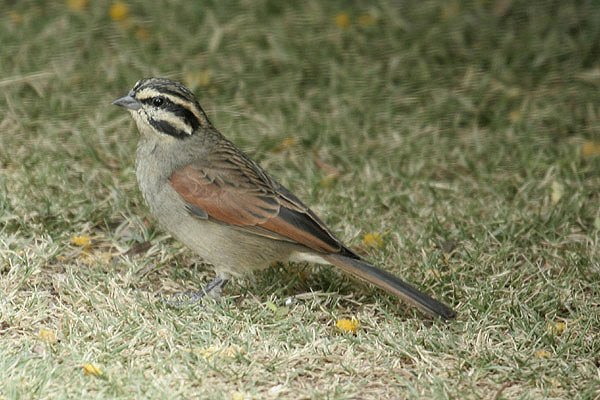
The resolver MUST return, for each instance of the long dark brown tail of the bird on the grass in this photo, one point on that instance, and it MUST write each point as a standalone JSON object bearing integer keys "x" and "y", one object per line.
{"x": 392, "y": 284}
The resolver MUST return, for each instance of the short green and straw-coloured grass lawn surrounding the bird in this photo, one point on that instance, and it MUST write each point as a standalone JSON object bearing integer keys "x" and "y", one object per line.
{"x": 465, "y": 133}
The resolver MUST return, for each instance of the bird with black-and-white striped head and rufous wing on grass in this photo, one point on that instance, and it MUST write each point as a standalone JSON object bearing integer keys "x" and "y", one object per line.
{"x": 221, "y": 204}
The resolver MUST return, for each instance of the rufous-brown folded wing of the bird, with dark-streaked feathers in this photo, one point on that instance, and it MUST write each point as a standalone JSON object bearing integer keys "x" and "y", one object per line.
{"x": 233, "y": 189}
